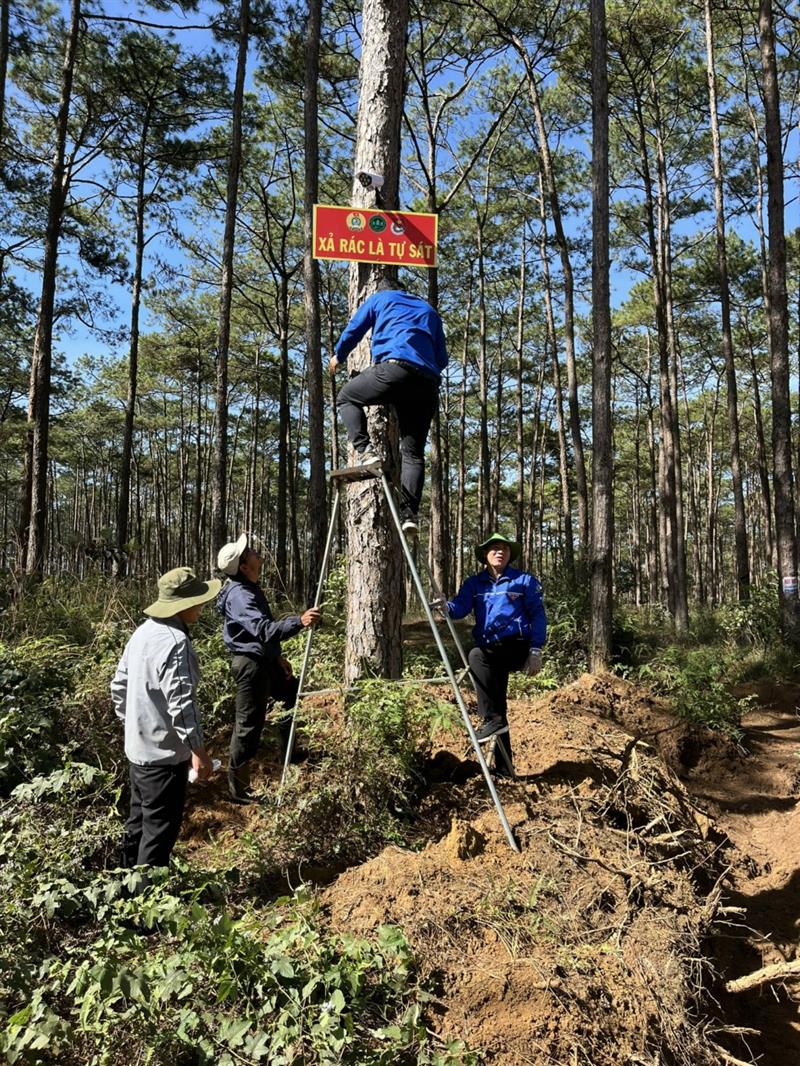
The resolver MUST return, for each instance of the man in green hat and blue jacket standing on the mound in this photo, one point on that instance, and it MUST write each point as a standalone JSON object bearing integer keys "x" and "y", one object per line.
{"x": 509, "y": 633}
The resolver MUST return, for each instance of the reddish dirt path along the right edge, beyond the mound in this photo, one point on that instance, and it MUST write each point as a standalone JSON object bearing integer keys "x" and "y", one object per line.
{"x": 757, "y": 802}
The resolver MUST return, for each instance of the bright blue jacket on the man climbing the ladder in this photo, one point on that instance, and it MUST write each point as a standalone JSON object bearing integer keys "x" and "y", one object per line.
{"x": 404, "y": 328}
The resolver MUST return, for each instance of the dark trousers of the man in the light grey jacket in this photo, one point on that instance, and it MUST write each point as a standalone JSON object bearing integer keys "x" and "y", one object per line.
{"x": 157, "y": 800}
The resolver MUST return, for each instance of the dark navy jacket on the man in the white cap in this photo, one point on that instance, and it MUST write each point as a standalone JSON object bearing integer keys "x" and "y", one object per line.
{"x": 250, "y": 627}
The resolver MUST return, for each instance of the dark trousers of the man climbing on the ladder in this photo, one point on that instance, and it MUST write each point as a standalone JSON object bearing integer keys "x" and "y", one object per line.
{"x": 414, "y": 396}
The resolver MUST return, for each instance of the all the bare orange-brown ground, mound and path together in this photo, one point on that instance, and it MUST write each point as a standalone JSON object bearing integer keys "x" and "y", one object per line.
{"x": 610, "y": 939}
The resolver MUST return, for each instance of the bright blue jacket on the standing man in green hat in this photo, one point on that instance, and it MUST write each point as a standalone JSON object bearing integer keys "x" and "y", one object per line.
{"x": 510, "y": 607}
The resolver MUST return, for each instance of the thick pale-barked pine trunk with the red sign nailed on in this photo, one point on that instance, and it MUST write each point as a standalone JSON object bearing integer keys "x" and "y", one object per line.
{"x": 375, "y": 560}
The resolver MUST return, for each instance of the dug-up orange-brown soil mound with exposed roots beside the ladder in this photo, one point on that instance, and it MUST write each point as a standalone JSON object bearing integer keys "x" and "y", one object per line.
{"x": 586, "y": 947}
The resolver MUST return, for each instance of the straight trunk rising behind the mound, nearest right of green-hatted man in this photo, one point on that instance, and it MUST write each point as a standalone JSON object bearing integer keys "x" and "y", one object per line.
{"x": 602, "y": 547}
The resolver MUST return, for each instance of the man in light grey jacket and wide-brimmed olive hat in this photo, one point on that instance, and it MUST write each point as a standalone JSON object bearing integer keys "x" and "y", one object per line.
{"x": 154, "y": 692}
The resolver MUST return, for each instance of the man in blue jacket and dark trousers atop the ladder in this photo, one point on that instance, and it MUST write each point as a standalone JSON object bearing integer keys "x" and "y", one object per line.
{"x": 409, "y": 354}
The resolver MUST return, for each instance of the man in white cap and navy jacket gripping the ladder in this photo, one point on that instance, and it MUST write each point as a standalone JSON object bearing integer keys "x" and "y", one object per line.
{"x": 253, "y": 638}
